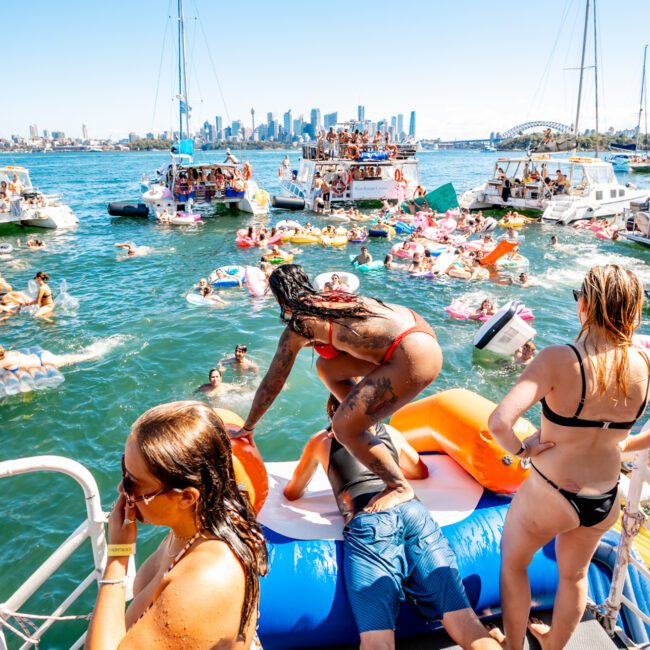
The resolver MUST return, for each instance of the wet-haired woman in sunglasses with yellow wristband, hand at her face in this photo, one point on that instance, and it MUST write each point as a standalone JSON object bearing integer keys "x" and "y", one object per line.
{"x": 200, "y": 587}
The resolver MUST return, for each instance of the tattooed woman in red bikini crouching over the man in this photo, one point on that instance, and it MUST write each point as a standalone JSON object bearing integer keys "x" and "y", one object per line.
{"x": 391, "y": 348}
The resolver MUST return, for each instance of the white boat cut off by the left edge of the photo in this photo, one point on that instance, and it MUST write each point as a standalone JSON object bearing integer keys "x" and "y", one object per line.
{"x": 26, "y": 205}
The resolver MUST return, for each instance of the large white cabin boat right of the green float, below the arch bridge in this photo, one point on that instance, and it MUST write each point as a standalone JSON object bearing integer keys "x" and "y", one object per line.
{"x": 527, "y": 183}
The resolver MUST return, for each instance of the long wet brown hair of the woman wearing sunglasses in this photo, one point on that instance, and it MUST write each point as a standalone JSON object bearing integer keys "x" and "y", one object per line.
{"x": 185, "y": 444}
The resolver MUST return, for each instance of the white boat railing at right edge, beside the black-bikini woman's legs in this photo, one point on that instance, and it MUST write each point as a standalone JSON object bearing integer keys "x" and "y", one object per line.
{"x": 633, "y": 520}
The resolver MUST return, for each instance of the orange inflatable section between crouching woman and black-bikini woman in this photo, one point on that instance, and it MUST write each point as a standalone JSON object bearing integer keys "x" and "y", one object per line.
{"x": 455, "y": 422}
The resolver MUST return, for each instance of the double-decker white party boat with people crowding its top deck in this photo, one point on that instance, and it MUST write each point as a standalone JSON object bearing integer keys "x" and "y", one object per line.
{"x": 354, "y": 173}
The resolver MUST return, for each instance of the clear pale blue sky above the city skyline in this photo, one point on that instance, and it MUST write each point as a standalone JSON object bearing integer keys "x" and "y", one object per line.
{"x": 466, "y": 66}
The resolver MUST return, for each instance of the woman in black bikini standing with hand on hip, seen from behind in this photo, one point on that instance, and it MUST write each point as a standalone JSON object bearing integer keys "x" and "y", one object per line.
{"x": 592, "y": 392}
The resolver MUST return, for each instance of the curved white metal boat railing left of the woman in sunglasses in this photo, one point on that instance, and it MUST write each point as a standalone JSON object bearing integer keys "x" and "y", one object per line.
{"x": 92, "y": 528}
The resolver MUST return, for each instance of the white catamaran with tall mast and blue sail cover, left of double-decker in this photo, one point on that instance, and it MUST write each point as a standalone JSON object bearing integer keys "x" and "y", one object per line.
{"x": 183, "y": 185}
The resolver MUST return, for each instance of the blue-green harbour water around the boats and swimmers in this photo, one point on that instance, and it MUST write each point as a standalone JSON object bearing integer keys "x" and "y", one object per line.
{"x": 159, "y": 348}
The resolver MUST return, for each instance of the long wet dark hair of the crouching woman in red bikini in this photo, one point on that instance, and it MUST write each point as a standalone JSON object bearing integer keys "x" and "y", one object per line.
{"x": 293, "y": 291}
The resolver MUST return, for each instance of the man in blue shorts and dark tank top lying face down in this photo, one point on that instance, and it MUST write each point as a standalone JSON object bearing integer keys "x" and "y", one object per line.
{"x": 390, "y": 553}
